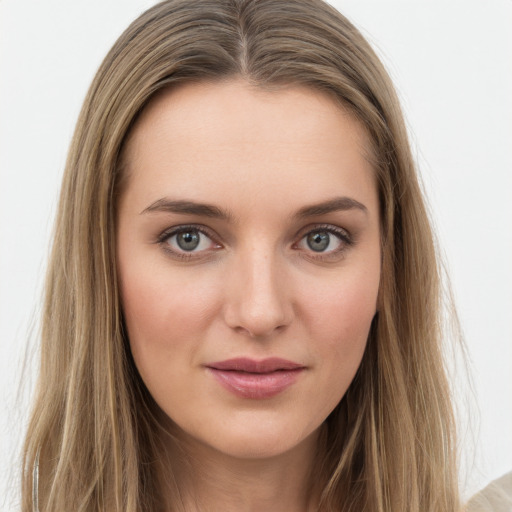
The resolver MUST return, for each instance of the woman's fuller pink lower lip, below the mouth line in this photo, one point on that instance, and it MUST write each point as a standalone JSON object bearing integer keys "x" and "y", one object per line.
{"x": 256, "y": 385}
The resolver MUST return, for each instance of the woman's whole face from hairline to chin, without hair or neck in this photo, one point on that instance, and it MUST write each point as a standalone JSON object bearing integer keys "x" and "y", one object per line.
{"x": 249, "y": 261}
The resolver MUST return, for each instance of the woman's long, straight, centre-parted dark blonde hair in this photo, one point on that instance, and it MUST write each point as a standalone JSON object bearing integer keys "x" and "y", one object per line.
{"x": 389, "y": 445}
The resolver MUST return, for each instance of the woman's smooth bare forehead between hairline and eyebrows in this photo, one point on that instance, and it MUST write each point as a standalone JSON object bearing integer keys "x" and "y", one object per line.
{"x": 231, "y": 139}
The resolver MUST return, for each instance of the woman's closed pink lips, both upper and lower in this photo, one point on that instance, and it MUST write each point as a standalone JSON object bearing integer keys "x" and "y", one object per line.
{"x": 249, "y": 378}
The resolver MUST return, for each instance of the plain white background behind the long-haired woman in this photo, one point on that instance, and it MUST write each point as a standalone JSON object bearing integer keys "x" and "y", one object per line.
{"x": 452, "y": 64}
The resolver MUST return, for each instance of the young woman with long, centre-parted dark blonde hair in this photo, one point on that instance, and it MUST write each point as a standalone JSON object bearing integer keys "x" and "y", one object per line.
{"x": 242, "y": 303}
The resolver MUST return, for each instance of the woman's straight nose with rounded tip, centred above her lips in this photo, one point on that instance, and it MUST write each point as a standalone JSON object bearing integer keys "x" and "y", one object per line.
{"x": 258, "y": 301}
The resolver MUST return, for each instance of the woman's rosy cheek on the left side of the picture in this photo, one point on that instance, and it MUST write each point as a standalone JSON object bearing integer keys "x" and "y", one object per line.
{"x": 166, "y": 314}
